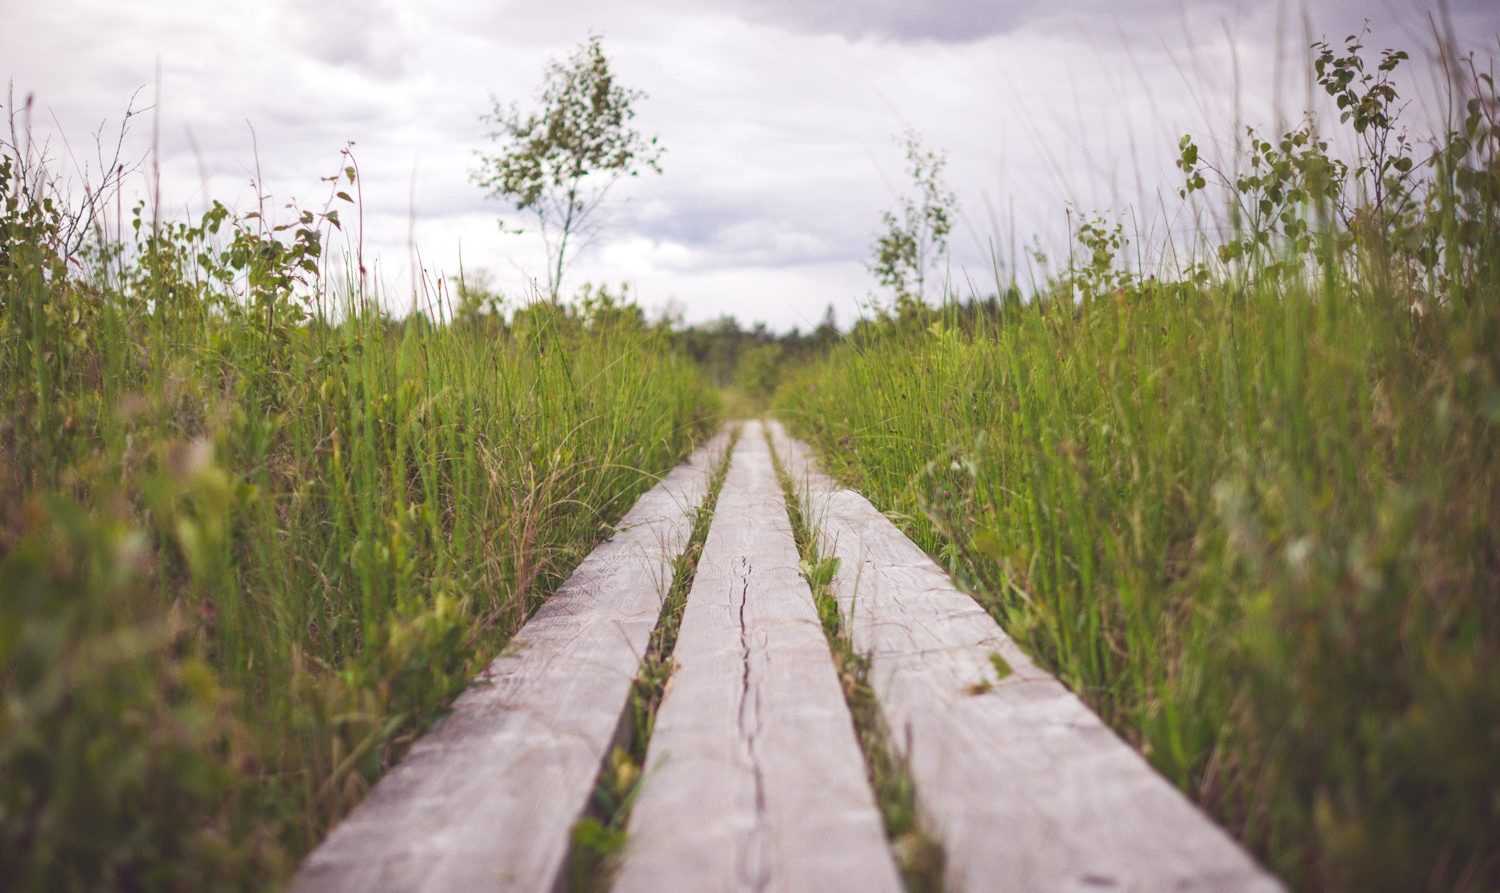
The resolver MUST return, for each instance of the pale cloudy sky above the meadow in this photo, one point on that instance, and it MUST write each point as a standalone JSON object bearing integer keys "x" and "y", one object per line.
{"x": 779, "y": 118}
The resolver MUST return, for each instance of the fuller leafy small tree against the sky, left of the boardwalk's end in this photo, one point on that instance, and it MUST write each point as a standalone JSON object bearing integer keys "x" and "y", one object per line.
{"x": 560, "y": 163}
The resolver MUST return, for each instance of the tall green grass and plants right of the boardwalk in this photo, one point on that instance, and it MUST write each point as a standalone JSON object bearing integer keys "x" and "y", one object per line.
{"x": 1249, "y": 511}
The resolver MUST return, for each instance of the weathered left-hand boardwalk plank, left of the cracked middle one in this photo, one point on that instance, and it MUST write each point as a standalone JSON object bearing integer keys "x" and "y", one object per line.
{"x": 488, "y": 798}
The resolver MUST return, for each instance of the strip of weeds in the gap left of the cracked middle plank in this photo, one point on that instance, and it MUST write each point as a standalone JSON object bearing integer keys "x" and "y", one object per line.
{"x": 599, "y": 837}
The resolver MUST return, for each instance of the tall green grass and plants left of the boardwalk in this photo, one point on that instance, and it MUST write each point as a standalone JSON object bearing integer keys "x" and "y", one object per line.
{"x": 254, "y": 535}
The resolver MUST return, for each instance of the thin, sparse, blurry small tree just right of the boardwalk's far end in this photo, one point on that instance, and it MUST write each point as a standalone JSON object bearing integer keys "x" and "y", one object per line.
{"x": 916, "y": 235}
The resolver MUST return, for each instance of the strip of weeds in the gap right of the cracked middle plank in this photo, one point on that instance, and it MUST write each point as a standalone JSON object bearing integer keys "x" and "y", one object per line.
{"x": 919, "y": 853}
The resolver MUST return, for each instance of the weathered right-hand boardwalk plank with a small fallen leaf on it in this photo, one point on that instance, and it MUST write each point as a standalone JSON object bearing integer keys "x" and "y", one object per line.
{"x": 1027, "y": 787}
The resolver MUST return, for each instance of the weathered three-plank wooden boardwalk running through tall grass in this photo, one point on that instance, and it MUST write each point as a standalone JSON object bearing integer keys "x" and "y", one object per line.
{"x": 754, "y": 780}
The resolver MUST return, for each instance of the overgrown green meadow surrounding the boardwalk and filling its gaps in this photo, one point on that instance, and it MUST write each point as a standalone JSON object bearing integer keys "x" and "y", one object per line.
{"x": 257, "y": 531}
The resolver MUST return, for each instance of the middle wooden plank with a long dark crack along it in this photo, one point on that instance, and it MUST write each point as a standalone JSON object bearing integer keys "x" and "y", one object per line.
{"x": 754, "y": 778}
